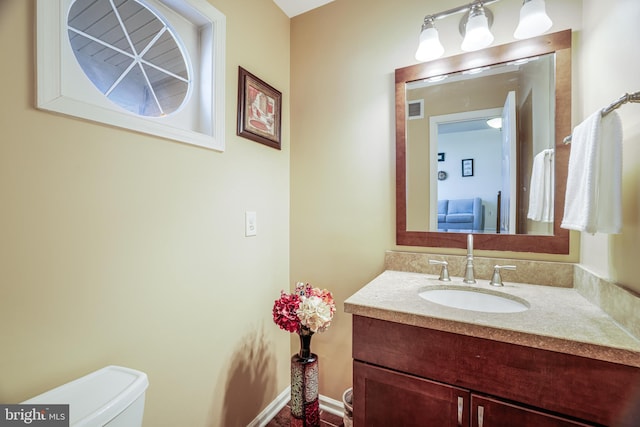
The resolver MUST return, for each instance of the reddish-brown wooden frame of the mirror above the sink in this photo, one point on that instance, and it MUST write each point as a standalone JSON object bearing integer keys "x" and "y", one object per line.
{"x": 556, "y": 241}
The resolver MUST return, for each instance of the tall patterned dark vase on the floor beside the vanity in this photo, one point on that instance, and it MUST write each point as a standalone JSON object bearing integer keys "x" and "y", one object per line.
{"x": 305, "y": 406}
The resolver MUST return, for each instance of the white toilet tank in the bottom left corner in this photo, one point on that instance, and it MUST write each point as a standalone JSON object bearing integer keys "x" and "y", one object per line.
{"x": 112, "y": 396}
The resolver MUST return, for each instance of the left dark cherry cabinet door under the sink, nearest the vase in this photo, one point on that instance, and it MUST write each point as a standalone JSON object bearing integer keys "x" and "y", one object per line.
{"x": 383, "y": 398}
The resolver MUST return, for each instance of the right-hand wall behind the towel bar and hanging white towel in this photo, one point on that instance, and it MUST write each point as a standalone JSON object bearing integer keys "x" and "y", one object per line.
{"x": 610, "y": 67}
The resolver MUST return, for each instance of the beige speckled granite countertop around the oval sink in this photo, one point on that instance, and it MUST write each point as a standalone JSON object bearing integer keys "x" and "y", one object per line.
{"x": 558, "y": 319}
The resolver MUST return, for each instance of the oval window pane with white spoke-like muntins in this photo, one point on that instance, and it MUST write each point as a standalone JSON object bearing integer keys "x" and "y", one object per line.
{"x": 130, "y": 54}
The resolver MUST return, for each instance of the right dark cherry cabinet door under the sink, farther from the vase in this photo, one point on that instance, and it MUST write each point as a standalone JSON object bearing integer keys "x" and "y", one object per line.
{"x": 488, "y": 412}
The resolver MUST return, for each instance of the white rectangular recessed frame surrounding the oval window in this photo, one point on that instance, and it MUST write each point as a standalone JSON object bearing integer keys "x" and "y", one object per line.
{"x": 58, "y": 92}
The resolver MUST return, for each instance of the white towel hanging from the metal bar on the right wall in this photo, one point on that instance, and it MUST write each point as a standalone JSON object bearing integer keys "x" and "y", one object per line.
{"x": 593, "y": 201}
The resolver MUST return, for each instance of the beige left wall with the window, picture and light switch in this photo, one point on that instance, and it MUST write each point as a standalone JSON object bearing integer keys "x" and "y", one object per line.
{"x": 122, "y": 248}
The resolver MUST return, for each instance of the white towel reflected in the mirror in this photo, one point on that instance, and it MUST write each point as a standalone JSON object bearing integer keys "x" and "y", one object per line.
{"x": 542, "y": 187}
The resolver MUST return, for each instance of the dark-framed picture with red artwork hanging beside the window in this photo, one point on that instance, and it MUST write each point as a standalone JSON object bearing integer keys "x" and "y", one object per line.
{"x": 259, "y": 110}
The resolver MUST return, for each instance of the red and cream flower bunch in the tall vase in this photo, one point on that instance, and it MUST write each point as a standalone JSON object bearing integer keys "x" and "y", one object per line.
{"x": 306, "y": 310}
